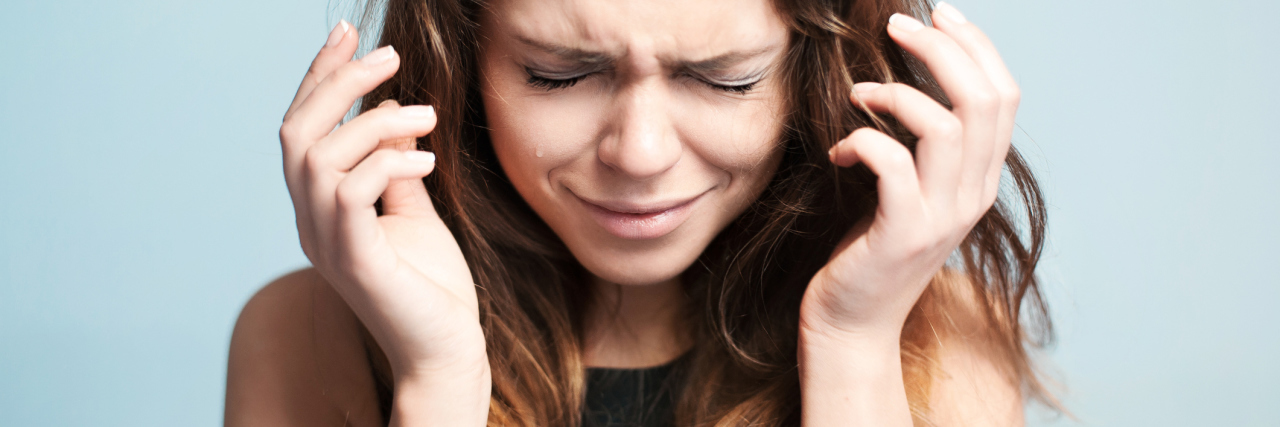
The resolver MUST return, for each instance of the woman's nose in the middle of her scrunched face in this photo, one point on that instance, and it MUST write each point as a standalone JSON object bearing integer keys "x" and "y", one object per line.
{"x": 642, "y": 143}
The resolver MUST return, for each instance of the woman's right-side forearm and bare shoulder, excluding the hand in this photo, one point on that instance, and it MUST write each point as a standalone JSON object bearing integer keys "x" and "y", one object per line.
{"x": 973, "y": 384}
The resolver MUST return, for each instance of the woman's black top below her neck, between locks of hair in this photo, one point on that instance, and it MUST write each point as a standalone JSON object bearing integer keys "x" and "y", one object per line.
{"x": 615, "y": 398}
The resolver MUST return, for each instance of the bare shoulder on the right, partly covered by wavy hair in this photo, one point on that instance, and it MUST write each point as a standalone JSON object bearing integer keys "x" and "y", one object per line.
{"x": 976, "y": 384}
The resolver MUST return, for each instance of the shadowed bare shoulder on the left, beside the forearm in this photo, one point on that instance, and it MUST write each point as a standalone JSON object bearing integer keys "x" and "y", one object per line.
{"x": 298, "y": 359}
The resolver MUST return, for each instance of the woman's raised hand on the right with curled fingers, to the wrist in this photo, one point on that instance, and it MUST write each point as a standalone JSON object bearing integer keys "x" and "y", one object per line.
{"x": 929, "y": 203}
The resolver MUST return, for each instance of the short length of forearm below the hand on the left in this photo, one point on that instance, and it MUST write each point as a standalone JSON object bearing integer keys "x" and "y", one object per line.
{"x": 454, "y": 397}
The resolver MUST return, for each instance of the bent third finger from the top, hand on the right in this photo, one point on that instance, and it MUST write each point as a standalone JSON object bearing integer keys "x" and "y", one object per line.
{"x": 941, "y": 134}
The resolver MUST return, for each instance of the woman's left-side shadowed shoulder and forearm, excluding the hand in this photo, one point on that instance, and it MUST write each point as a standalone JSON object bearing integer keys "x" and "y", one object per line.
{"x": 299, "y": 359}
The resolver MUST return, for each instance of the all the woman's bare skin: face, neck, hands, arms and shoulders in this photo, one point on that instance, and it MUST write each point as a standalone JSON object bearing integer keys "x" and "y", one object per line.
{"x": 641, "y": 131}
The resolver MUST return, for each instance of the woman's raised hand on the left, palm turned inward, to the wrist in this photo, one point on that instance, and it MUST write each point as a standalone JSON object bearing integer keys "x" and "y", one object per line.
{"x": 403, "y": 273}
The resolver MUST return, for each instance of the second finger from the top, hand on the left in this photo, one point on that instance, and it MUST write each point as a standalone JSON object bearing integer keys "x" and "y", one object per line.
{"x": 331, "y": 100}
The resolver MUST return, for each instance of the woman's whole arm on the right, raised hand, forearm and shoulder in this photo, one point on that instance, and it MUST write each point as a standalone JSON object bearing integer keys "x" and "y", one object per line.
{"x": 856, "y": 307}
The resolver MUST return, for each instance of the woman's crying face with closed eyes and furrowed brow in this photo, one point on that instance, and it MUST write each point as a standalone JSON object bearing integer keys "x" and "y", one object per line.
{"x": 637, "y": 130}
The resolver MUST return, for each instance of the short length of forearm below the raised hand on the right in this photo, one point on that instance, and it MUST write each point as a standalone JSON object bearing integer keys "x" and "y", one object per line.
{"x": 852, "y": 382}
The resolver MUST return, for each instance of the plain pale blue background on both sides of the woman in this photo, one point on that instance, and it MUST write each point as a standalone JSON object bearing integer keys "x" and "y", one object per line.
{"x": 141, "y": 201}
